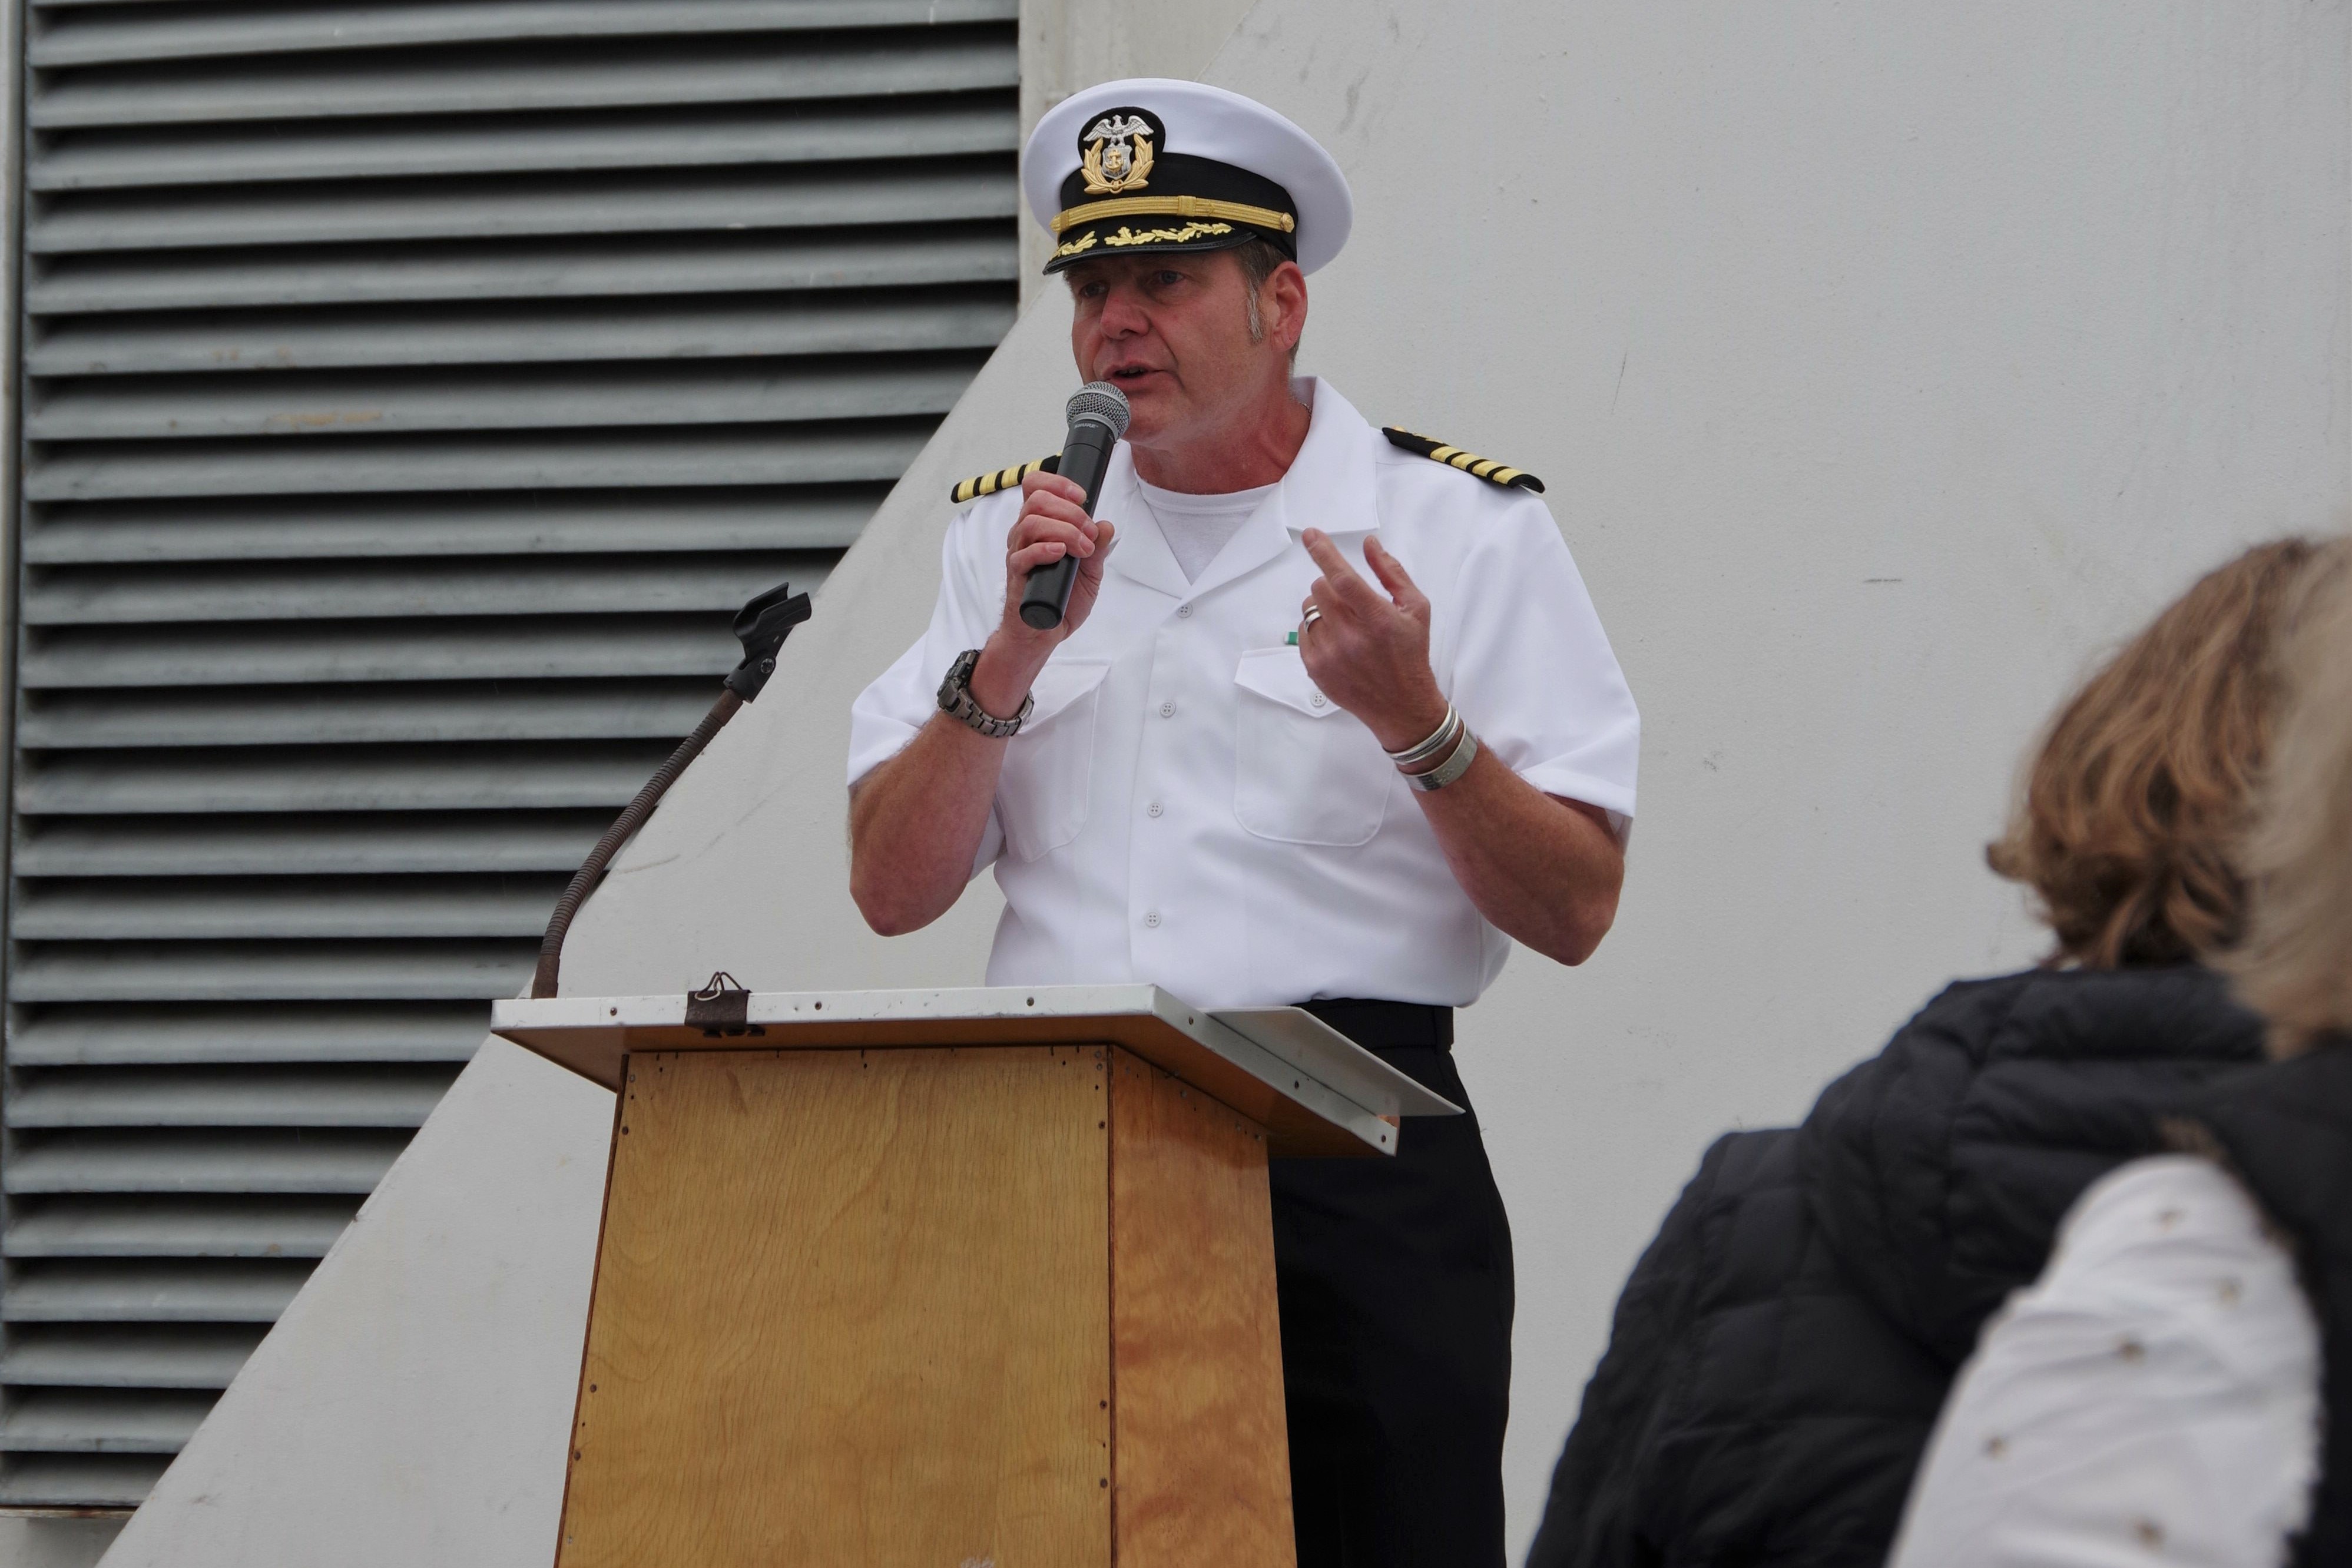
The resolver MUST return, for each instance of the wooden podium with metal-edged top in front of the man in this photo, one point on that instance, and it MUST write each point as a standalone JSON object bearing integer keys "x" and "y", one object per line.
{"x": 944, "y": 1280}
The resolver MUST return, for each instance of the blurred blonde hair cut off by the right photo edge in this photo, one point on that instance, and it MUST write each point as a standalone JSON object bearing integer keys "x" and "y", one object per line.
{"x": 2297, "y": 960}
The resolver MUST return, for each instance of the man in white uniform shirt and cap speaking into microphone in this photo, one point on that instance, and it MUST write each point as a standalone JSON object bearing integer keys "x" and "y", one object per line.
{"x": 1332, "y": 725}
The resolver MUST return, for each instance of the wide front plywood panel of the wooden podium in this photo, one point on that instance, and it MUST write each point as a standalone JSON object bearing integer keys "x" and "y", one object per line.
{"x": 850, "y": 1311}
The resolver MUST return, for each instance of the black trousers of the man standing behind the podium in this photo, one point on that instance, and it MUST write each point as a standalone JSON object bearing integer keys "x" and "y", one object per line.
{"x": 1396, "y": 1325}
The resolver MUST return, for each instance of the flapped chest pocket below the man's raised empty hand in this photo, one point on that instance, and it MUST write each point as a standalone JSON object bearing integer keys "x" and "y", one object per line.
{"x": 1307, "y": 770}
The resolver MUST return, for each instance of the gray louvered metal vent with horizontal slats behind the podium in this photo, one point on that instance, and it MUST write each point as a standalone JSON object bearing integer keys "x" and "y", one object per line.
{"x": 413, "y": 394}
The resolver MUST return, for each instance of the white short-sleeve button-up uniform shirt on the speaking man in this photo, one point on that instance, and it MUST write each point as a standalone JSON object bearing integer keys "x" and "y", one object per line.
{"x": 1187, "y": 808}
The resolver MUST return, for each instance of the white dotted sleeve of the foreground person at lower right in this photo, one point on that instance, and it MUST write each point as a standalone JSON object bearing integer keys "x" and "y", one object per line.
{"x": 2151, "y": 1400}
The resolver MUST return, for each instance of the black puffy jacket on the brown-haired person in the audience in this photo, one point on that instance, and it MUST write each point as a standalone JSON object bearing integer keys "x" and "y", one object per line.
{"x": 1786, "y": 1343}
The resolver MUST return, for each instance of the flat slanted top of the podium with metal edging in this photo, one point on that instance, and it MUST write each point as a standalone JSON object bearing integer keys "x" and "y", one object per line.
{"x": 1311, "y": 1087}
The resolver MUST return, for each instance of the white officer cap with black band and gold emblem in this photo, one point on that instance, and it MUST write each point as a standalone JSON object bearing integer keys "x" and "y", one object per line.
{"x": 1158, "y": 166}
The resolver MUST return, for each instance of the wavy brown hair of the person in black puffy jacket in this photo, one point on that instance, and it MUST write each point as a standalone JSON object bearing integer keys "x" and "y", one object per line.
{"x": 2130, "y": 815}
